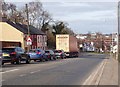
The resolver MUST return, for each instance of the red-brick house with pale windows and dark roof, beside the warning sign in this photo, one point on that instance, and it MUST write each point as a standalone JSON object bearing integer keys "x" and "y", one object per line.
{"x": 39, "y": 39}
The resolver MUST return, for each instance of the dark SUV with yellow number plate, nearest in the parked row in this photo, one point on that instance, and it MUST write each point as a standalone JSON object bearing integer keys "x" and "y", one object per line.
{"x": 14, "y": 55}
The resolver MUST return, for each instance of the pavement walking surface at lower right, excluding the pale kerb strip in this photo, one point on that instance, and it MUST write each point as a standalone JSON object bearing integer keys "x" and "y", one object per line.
{"x": 110, "y": 73}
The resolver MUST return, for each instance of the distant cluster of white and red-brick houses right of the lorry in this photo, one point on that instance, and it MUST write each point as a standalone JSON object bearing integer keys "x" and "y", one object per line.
{"x": 99, "y": 41}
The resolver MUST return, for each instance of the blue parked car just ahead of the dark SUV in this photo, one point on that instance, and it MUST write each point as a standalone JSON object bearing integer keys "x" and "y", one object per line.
{"x": 37, "y": 54}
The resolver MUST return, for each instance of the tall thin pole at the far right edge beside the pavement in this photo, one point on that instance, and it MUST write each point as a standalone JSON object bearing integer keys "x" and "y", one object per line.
{"x": 118, "y": 34}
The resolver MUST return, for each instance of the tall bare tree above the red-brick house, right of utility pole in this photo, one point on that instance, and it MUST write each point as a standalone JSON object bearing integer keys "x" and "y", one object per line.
{"x": 38, "y": 17}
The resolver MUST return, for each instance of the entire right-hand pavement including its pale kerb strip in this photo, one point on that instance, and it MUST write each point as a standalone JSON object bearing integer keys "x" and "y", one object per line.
{"x": 105, "y": 74}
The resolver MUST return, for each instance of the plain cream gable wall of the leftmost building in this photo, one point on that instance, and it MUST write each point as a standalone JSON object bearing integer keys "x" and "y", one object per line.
{"x": 11, "y": 34}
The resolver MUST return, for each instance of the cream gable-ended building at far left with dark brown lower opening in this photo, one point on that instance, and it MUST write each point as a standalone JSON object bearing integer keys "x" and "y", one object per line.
{"x": 10, "y": 36}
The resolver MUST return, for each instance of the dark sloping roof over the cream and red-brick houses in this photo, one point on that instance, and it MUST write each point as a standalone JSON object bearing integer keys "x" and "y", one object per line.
{"x": 23, "y": 28}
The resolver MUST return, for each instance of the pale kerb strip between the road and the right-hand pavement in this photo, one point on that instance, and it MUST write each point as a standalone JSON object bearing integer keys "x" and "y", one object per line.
{"x": 95, "y": 76}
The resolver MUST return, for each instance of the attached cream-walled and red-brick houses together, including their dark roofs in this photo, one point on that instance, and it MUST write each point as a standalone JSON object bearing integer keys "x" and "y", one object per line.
{"x": 15, "y": 34}
